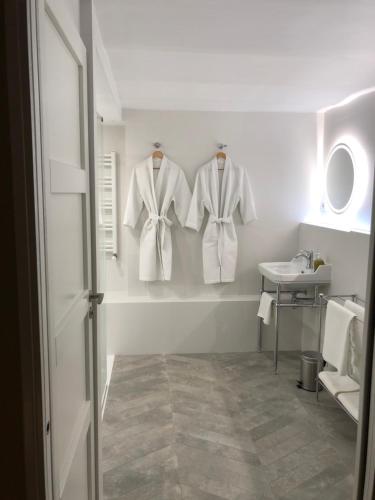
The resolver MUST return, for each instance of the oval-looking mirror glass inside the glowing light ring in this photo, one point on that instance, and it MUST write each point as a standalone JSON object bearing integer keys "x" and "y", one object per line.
{"x": 340, "y": 178}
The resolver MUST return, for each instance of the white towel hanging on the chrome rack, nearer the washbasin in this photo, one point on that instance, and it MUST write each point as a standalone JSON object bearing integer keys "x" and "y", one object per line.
{"x": 336, "y": 336}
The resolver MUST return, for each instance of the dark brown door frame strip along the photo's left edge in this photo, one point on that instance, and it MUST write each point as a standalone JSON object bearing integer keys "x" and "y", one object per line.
{"x": 22, "y": 396}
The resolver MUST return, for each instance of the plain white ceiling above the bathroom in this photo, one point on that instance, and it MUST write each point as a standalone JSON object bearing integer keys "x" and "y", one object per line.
{"x": 238, "y": 55}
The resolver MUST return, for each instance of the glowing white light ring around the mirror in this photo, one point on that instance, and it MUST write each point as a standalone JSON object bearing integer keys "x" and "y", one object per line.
{"x": 360, "y": 165}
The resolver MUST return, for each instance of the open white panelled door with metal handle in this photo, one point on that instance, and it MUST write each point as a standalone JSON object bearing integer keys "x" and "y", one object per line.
{"x": 63, "y": 95}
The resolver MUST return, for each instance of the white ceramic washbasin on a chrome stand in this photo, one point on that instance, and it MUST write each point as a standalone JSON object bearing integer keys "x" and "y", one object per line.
{"x": 293, "y": 272}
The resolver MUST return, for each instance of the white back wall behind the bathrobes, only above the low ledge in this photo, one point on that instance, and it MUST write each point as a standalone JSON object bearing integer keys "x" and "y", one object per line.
{"x": 277, "y": 149}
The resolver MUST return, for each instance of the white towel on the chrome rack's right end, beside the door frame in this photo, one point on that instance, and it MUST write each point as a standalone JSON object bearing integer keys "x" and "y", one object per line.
{"x": 355, "y": 340}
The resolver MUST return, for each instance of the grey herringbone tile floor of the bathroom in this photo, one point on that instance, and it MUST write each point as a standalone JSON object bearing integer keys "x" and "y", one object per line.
{"x": 214, "y": 427}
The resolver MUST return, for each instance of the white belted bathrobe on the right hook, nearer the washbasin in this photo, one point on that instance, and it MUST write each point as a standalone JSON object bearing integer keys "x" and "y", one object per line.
{"x": 220, "y": 240}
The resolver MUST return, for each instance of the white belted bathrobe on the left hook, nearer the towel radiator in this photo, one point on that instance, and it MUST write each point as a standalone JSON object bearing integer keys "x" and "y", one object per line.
{"x": 155, "y": 256}
